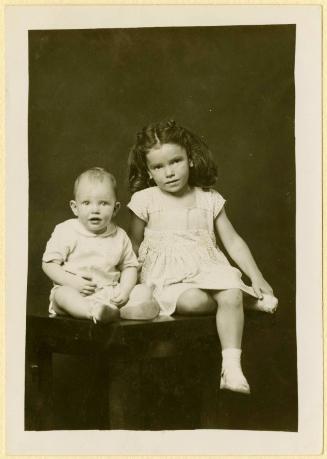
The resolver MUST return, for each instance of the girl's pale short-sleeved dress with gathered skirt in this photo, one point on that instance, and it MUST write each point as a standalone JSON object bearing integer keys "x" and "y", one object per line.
{"x": 179, "y": 250}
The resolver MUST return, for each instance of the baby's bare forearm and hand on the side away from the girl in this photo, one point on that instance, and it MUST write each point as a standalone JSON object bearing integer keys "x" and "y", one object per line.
{"x": 58, "y": 275}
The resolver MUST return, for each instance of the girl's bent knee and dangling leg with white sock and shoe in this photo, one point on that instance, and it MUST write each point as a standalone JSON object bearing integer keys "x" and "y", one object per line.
{"x": 230, "y": 322}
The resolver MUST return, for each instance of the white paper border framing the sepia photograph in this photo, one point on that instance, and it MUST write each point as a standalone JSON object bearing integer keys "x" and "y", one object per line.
{"x": 308, "y": 132}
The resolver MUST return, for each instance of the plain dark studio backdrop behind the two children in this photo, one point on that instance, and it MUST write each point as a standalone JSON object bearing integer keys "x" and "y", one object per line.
{"x": 90, "y": 91}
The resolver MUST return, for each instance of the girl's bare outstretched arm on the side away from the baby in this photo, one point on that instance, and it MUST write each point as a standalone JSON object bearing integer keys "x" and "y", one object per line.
{"x": 241, "y": 254}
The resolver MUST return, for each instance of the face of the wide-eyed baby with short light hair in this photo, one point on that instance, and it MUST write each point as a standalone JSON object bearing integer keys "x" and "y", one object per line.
{"x": 95, "y": 204}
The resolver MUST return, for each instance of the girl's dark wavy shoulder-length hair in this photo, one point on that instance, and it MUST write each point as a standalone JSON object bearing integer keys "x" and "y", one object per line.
{"x": 202, "y": 174}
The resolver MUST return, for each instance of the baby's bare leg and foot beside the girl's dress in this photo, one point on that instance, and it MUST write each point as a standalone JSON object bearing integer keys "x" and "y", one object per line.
{"x": 141, "y": 304}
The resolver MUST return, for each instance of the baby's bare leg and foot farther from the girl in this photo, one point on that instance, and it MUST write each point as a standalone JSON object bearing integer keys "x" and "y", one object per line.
{"x": 69, "y": 301}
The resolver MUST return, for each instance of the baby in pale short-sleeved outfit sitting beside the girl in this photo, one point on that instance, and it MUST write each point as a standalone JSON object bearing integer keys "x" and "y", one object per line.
{"x": 91, "y": 260}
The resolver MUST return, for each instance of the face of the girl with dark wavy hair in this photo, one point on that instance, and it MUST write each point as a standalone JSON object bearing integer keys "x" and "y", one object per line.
{"x": 169, "y": 167}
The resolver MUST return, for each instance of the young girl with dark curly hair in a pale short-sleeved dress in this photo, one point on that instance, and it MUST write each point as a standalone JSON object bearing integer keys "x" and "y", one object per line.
{"x": 175, "y": 214}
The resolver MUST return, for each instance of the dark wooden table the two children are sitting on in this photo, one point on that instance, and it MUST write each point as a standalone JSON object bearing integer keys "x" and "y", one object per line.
{"x": 123, "y": 349}
